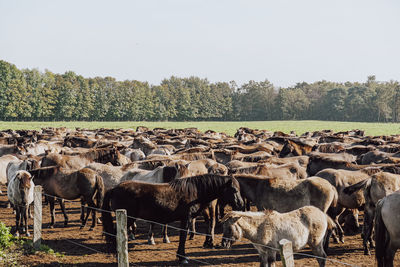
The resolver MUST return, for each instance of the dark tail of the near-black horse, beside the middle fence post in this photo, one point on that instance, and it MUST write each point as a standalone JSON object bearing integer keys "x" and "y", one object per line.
{"x": 108, "y": 223}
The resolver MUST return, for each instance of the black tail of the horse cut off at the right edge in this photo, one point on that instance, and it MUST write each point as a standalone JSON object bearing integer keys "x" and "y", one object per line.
{"x": 381, "y": 236}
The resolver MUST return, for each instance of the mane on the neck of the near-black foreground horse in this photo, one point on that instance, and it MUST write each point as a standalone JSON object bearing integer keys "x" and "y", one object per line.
{"x": 201, "y": 185}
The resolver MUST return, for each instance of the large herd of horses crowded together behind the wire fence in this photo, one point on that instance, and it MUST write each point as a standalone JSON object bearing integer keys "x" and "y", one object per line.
{"x": 306, "y": 188}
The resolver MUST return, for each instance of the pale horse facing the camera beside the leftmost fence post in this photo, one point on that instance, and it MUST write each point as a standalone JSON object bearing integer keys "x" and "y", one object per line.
{"x": 20, "y": 194}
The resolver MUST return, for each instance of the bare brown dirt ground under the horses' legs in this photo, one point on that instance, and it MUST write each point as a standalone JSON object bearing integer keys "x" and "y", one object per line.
{"x": 85, "y": 248}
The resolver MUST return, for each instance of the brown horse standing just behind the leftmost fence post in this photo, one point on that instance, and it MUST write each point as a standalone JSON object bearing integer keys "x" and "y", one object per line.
{"x": 85, "y": 184}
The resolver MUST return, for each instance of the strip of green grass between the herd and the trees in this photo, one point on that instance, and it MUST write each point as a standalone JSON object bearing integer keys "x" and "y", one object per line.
{"x": 228, "y": 127}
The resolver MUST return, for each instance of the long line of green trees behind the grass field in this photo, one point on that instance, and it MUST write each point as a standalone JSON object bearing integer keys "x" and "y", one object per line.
{"x": 31, "y": 95}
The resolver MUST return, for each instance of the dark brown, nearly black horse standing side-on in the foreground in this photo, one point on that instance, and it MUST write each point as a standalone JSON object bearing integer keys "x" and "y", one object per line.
{"x": 178, "y": 200}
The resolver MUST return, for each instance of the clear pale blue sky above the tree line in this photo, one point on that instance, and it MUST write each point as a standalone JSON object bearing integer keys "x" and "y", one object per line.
{"x": 221, "y": 40}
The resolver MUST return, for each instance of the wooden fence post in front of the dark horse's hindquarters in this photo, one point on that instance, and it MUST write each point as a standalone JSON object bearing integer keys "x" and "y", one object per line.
{"x": 122, "y": 238}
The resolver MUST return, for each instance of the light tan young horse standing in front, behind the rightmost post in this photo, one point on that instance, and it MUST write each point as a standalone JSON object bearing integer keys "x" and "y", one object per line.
{"x": 304, "y": 226}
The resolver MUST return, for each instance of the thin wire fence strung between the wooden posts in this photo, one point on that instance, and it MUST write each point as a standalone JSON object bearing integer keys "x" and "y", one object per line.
{"x": 180, "y": 229}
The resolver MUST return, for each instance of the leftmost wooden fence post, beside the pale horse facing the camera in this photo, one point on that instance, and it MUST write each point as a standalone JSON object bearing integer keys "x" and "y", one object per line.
{"x": 37, "y": 217}
